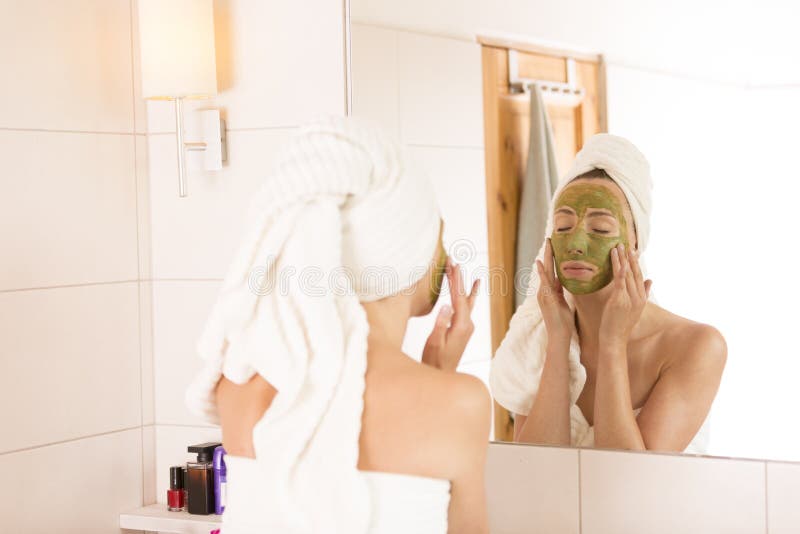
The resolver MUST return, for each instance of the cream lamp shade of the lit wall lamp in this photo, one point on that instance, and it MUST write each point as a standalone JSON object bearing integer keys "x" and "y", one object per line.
{"x": 177, "y": 49}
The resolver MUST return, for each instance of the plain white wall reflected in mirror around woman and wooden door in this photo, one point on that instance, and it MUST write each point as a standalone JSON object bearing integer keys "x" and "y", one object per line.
{"x": 718, "y": 138}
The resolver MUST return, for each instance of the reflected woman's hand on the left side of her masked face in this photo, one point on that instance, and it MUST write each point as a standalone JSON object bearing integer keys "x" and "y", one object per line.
{"x": 558, "y": 318}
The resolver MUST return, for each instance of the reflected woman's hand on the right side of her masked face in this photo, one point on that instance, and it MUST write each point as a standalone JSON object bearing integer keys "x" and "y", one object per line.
{"x": 628, "y": 297}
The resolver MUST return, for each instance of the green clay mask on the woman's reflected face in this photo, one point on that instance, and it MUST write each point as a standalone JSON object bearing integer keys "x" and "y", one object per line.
{"x": 583, "y": 240}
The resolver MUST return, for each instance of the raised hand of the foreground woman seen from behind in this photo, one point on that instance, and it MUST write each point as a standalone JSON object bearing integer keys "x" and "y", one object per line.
{"x": 453, "y": 327}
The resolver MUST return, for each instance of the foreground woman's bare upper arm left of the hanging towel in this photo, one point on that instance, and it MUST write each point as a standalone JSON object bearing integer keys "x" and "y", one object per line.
{"x": 240, "y": 407}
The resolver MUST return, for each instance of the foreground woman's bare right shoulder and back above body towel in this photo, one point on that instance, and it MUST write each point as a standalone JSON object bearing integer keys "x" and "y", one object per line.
{"x": 440, "y": 421}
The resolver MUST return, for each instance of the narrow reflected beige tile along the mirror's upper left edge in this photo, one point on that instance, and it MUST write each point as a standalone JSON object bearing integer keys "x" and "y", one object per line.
{"x": 374, "y": 76}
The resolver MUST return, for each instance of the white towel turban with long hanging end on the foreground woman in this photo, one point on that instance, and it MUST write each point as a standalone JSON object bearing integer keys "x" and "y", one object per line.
{"x": 340, "y": 202}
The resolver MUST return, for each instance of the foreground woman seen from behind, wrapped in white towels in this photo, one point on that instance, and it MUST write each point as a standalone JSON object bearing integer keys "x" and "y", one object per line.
{"x": 328, "y": 426}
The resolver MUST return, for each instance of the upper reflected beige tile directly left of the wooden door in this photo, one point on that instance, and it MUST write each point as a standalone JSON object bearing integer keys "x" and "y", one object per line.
{"x": 441, "y": 100}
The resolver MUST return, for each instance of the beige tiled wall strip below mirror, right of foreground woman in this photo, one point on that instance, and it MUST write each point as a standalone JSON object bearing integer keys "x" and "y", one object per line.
{"x": 547, "y": 489}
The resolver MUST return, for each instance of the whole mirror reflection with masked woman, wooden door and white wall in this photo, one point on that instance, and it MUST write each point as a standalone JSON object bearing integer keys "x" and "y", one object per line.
{"x": 501, "y": 107}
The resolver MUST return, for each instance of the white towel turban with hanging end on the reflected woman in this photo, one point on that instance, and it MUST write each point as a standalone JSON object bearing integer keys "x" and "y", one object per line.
{"x": 518, "y": 363}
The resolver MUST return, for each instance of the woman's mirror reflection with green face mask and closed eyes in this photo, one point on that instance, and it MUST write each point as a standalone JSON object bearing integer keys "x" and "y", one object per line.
{"x": 590, "y": 359}
